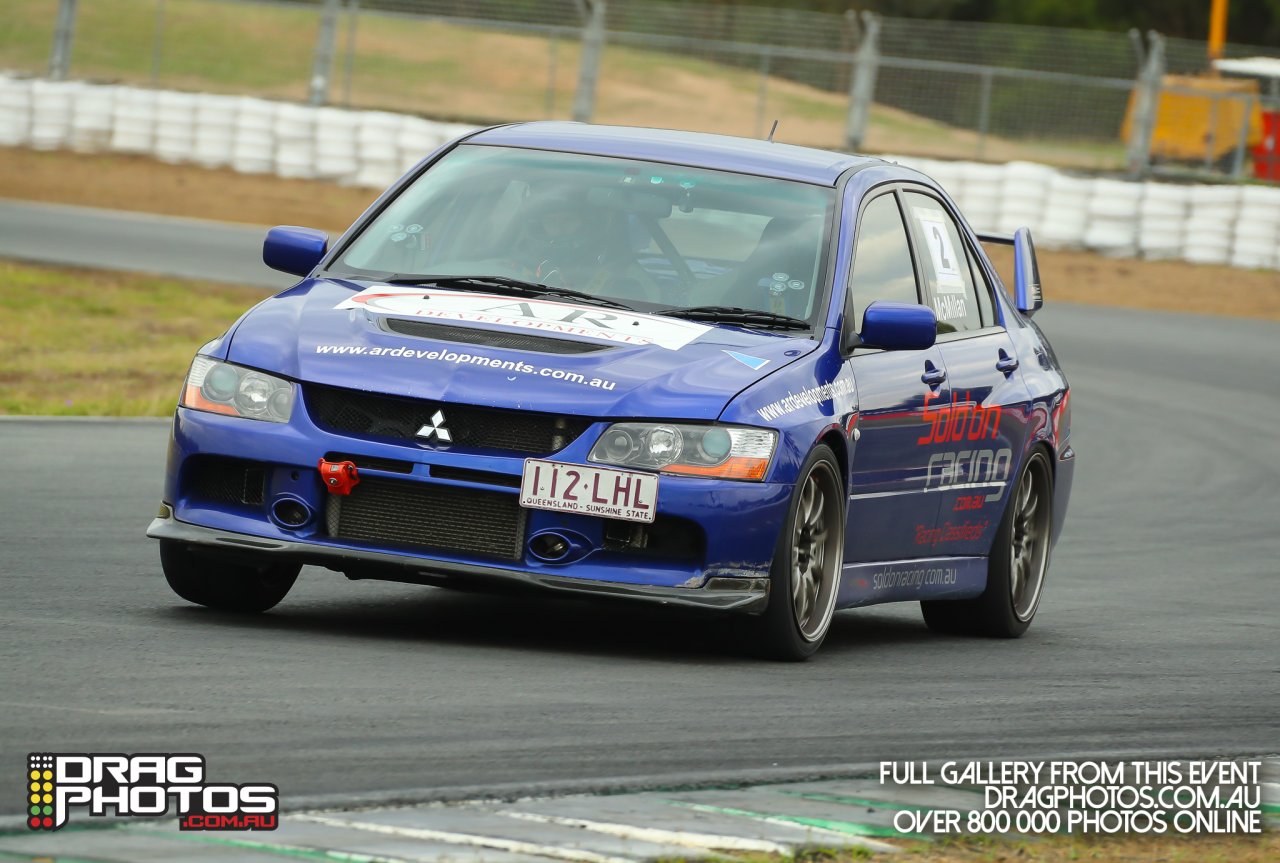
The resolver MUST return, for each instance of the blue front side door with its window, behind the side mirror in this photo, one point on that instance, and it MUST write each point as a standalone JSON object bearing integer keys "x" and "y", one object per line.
{"x": 889, "y": 506}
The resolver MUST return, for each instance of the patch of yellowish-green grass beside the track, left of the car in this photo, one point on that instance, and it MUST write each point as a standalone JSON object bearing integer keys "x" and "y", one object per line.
{"x": 88, "y": 343}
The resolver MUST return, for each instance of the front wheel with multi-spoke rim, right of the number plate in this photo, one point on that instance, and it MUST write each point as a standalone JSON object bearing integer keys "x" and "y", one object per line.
{"x": 806, "y": 576}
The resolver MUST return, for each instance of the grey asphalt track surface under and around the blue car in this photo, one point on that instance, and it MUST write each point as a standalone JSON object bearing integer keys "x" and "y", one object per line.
{"x": 1158, "y": 633}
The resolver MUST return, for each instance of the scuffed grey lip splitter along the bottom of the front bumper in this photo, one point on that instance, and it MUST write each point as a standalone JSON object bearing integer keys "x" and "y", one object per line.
{"x": 744, "y": 595}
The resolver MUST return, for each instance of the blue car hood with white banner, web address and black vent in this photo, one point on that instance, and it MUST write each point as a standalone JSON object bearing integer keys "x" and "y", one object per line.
{"x": 504, "y": 351}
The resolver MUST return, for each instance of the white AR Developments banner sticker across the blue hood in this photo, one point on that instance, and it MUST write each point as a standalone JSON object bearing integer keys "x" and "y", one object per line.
{"x": 609, "y": 325}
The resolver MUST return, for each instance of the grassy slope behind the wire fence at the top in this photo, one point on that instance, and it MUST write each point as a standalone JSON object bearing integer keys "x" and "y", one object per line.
{"x": 445, "y": 71}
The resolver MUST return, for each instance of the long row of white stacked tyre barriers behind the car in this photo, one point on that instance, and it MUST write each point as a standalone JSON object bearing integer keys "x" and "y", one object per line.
{"x": 1210, "y": 225}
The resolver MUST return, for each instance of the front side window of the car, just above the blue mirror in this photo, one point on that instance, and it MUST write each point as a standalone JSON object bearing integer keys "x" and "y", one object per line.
{"x": 883, "y": 259}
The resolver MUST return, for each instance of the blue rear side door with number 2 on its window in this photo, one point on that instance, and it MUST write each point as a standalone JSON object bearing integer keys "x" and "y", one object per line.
{"x": 977, "y": 433}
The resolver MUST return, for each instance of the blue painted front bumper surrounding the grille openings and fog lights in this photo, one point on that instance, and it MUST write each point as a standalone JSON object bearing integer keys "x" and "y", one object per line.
{"x": 735, "y": 524}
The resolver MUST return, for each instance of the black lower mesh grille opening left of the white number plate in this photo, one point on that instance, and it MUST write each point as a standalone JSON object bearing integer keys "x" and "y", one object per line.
{"x": 436, "y": 518}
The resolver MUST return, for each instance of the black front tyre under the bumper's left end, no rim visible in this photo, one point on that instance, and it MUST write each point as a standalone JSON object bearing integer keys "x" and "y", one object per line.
{"x": 248, "y": 588}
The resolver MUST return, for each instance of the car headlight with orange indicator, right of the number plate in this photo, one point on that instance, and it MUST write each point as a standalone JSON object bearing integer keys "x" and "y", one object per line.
{"x": 723, "y": 451}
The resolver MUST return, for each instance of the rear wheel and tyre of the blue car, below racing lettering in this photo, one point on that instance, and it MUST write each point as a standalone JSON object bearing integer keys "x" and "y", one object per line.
{"x": 1017, "y": 568}
